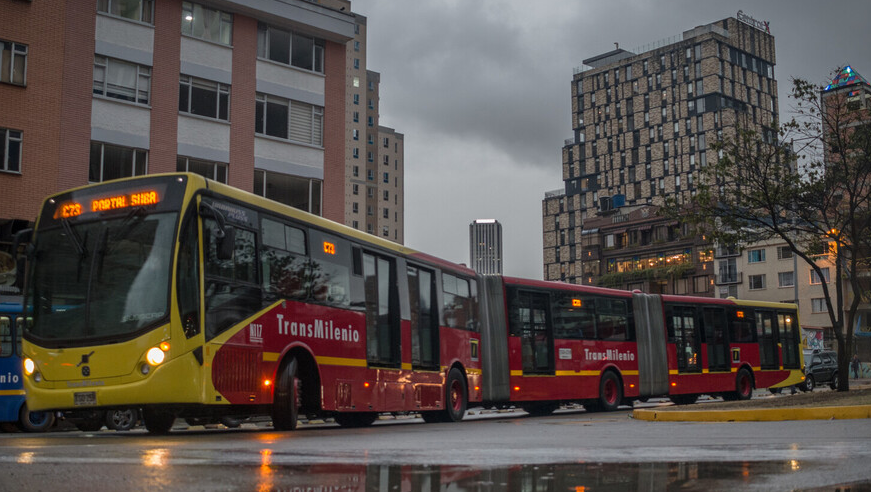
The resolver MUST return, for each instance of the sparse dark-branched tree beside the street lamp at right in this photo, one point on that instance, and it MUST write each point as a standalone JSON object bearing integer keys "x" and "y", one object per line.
{"x": 809, "y": 185}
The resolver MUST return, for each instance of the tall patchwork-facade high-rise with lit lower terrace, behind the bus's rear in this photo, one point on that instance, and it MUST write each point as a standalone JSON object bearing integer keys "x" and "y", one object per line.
{"x": 643, "y": 124}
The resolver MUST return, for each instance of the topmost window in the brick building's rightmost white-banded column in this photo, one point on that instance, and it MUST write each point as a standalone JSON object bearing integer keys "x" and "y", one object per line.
{"x": 290, "y": 48}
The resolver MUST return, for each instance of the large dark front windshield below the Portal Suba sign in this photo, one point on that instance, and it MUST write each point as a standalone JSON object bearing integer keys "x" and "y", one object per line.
{"x": 102, "y": 279}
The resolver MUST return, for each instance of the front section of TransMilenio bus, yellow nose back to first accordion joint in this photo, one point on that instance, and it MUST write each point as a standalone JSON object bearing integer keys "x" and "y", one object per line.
{"x": 188, "y": 298}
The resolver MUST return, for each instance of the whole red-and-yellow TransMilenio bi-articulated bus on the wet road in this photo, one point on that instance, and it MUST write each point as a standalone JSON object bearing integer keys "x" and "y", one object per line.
{"x": 189, "y": 298}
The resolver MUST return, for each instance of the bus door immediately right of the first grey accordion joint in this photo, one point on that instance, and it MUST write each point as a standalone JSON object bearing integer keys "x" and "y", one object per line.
{"x": 536, "y": 332}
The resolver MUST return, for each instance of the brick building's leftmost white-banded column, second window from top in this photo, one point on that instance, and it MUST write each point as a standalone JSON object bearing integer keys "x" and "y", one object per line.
{"x": 121, "y": 80}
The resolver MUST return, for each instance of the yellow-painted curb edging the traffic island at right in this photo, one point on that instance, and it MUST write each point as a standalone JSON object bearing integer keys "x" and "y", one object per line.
{"x": 756, "y": 415}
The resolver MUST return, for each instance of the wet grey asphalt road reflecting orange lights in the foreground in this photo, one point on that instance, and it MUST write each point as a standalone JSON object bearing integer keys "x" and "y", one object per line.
{"x": 570, "y": 450}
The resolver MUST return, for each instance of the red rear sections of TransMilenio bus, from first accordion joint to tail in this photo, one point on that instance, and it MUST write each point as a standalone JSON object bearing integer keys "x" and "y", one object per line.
{"x": 549, "y": 343}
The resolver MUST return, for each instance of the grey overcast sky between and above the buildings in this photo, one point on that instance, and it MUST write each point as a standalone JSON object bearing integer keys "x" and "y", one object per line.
{"x": 482, "y": 92}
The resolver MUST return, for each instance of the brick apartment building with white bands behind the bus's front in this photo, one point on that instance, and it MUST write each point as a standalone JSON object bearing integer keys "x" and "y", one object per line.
{"x": 254, "y": 94}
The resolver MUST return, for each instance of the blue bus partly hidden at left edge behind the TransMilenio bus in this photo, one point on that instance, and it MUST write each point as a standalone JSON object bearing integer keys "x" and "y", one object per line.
{"x": 13, "y": 406}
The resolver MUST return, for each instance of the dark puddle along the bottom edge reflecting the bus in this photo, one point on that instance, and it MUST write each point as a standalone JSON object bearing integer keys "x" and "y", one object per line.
{"x": 571, "y": 477}
